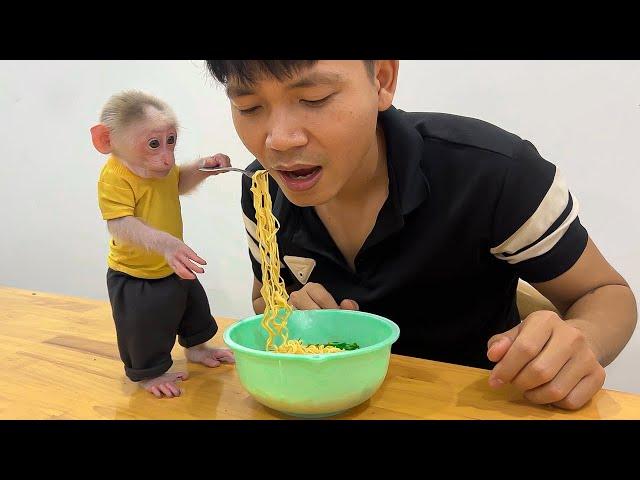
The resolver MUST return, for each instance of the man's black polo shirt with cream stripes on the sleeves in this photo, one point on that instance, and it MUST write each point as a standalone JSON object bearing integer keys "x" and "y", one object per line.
{"x": 471, "y": 208}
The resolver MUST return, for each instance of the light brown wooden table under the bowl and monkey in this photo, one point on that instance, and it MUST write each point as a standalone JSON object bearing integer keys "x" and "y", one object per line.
{"x": 60, "y": 361}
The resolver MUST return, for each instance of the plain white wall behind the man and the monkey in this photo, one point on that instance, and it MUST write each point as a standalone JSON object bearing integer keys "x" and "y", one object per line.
{"x": 584, "y": 116}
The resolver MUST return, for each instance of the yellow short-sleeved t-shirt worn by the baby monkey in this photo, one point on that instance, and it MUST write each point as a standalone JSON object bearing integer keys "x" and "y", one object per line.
{"x": 155, "y": 201}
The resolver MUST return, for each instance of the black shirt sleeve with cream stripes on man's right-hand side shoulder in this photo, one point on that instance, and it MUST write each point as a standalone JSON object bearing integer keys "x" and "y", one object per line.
{"x": 536, "y": 229}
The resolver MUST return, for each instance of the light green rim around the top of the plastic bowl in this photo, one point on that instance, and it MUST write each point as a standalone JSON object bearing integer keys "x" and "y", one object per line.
{"x": 314, "y": 357}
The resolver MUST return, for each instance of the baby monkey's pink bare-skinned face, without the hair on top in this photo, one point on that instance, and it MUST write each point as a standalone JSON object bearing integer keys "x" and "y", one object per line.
{"x": 149, "y": 145}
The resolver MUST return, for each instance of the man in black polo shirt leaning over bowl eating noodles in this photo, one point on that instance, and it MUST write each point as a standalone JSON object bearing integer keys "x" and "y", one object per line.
{"x": 430, "y": 220}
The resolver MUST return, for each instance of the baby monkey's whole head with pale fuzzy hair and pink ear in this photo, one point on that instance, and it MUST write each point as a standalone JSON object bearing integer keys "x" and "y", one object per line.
{"x": 139, "y": 130}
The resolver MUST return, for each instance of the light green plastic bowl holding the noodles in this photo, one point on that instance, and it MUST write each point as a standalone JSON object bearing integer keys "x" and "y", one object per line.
{"x": 314, "y": 385}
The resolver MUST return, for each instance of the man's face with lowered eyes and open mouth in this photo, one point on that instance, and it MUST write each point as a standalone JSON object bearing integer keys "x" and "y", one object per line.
{"x": 314, "y": 130}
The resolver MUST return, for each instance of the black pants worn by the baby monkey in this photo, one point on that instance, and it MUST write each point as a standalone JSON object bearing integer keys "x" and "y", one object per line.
{"x": 150, "y": 313}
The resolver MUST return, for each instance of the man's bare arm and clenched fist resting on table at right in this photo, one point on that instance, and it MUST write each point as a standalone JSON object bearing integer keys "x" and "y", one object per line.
{"x": 560, "y": 359}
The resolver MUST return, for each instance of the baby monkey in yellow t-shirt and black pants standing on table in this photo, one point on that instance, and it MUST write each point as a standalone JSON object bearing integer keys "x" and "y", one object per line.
{"x": 153, "y": 289}
